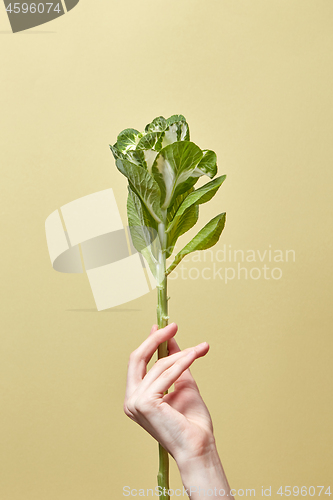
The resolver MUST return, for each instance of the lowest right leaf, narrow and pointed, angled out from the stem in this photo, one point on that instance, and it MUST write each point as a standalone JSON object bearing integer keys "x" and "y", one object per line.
{"x": 206, "y": 238}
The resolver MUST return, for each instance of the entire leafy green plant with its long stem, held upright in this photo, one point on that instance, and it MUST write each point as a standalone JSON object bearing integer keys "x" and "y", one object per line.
{"x": 162, "y": 167}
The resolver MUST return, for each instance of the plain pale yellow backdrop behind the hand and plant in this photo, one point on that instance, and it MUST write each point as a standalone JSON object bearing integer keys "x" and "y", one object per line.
{"x": 254, "y": 80}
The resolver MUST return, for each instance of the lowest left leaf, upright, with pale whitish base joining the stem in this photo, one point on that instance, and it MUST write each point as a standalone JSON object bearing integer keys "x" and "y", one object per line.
{"x": 144, "y": 233}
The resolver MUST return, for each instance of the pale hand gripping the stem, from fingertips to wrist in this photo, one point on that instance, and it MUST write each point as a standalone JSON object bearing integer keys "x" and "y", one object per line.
{"x": 180, "y": 420}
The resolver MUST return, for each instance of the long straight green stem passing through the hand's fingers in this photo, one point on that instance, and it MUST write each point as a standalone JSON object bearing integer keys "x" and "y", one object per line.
{"x": 162, "y": 320}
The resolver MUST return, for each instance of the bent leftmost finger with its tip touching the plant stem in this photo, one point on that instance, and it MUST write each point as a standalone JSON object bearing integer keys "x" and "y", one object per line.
{"x": 137, "y": 366}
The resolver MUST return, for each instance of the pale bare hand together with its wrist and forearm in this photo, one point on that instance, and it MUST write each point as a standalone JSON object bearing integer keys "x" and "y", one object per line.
{"x": 179, "y": 420}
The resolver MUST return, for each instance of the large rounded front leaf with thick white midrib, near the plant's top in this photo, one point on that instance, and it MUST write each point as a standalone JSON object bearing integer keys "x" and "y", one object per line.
{"x": 173, "y": 166}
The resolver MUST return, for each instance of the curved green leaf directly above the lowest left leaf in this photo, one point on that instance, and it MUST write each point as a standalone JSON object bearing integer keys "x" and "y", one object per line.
{"x": 144, "y": 185}
